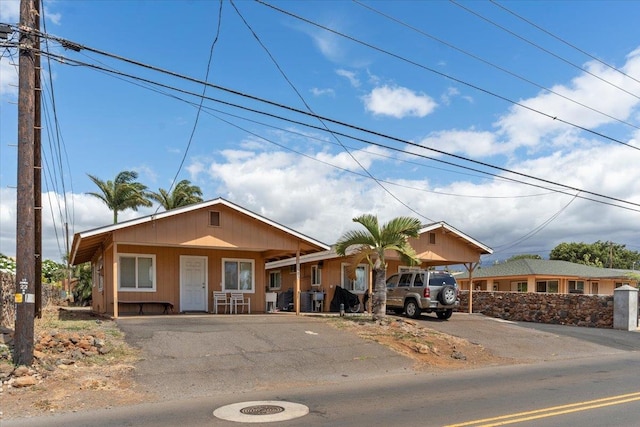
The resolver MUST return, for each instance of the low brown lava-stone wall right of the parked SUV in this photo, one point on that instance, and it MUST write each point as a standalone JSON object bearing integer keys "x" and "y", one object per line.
{"x": 594, "y": 311}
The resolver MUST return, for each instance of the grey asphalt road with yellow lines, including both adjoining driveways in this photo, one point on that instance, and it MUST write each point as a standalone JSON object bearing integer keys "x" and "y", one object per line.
{"x": 199, "y": 364}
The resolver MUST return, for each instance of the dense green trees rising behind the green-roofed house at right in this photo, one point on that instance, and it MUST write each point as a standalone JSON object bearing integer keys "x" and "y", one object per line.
{"x": 598, "y": 254}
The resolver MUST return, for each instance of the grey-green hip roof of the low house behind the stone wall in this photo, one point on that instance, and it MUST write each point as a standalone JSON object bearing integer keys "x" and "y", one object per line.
{"x": 542, "y": 267}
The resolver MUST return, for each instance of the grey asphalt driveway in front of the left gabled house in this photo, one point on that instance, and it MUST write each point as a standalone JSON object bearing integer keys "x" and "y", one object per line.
{"x": 200, "y": 355}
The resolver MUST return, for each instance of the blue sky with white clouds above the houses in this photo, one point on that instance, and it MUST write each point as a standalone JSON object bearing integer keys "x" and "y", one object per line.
{"x": 469, "y": 79}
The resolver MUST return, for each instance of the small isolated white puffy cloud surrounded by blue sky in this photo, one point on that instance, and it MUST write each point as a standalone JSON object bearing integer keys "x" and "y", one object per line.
{"x": 398, "y": 102}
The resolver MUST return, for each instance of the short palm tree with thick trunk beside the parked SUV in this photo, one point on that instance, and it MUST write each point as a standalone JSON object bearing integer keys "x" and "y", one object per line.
{"x": 370, "y": 245}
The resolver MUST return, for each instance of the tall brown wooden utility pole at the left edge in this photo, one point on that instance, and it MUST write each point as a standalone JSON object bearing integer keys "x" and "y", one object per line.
{"x": 25, "y": 206}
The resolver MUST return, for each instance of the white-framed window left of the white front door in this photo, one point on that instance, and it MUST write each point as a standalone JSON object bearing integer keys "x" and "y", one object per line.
{"x": 137, "y": 272}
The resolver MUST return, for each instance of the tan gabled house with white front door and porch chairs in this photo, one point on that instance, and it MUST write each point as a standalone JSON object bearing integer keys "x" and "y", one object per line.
{"x": 181, "y": 256}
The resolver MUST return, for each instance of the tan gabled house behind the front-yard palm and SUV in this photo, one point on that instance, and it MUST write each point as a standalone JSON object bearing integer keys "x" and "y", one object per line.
{"x": 438, "y": 244}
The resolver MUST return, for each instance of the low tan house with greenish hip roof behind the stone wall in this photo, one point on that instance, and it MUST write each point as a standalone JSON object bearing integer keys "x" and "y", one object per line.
{"x": 548, "y": 276}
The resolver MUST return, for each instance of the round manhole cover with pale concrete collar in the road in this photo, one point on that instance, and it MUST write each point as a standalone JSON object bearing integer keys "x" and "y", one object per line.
{"x": 265, "y": 411}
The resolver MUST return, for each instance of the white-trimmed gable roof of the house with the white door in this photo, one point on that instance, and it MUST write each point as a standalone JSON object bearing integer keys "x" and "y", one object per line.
{"x": 86, "y": 243}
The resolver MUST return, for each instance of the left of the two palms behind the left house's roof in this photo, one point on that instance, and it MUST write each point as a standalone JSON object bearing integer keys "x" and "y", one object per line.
{"x": 122, "y": 193}
